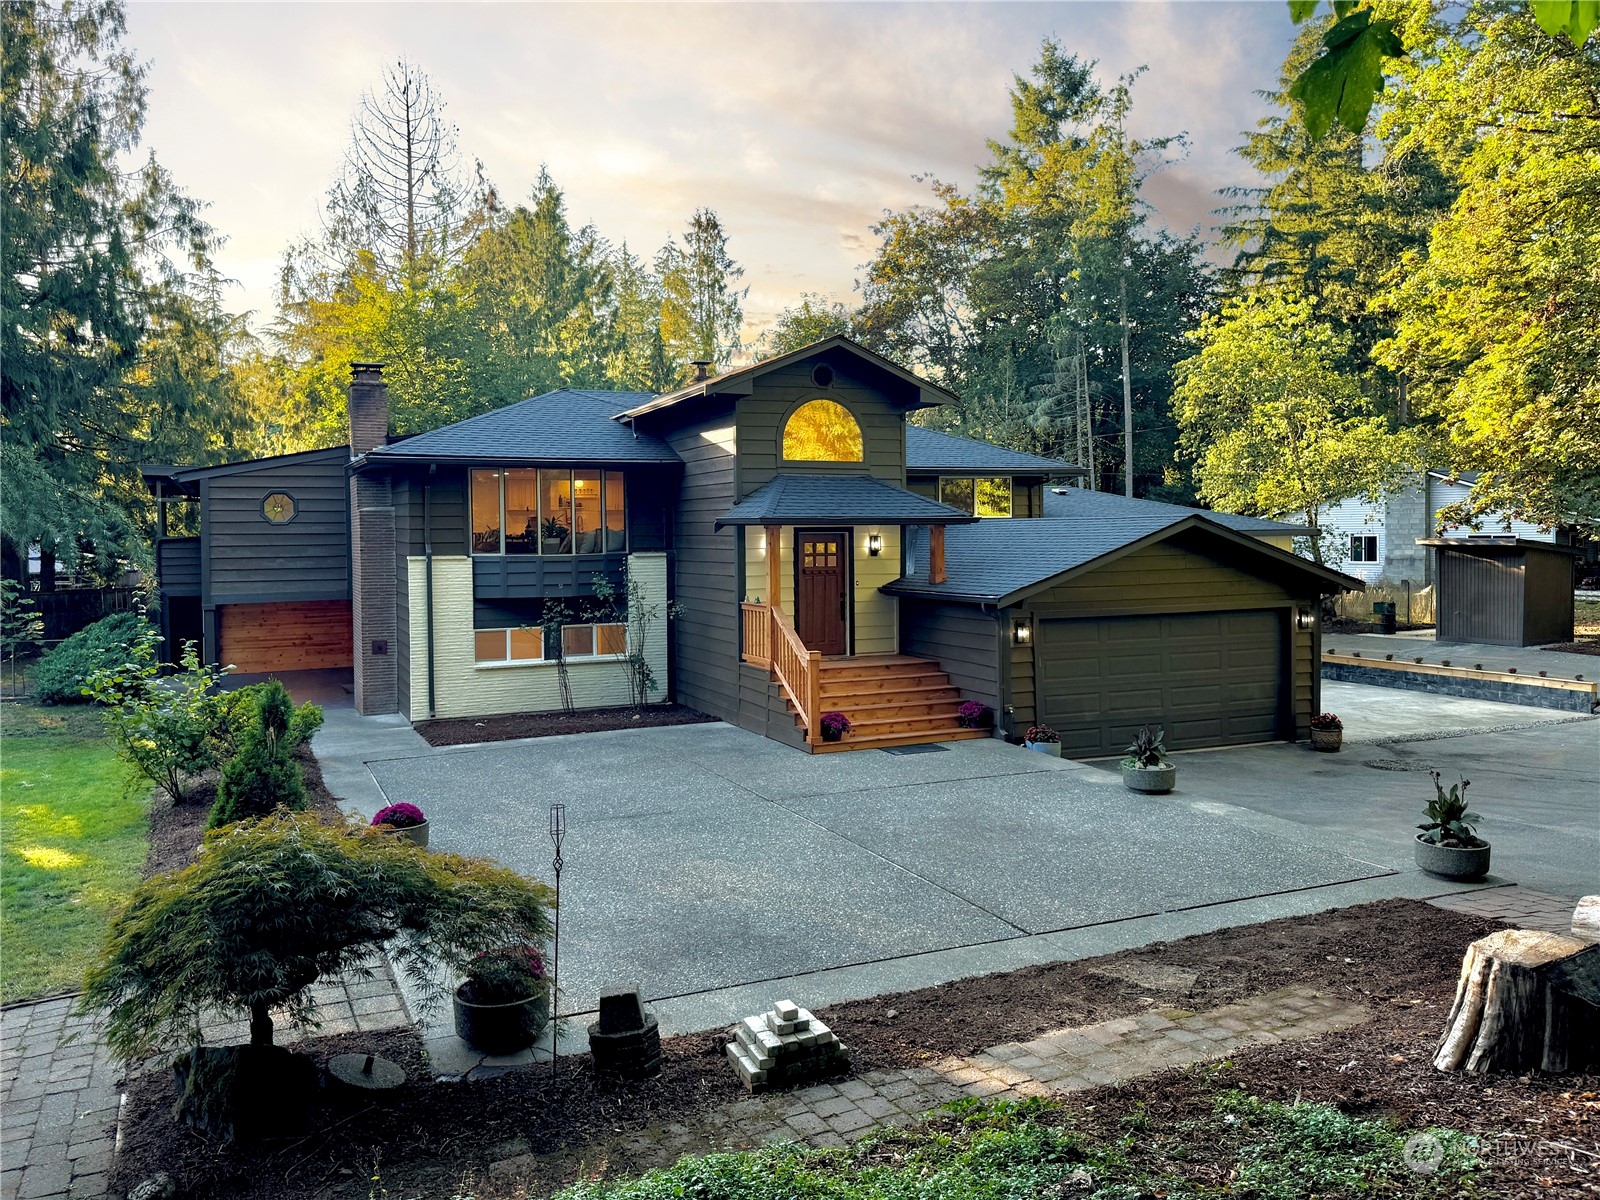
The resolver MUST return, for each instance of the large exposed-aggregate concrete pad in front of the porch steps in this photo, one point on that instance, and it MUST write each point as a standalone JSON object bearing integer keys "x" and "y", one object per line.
{"x": 705, "y": 858}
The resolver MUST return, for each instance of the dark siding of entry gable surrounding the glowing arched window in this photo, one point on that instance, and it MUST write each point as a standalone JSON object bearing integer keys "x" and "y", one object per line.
{"x": 762, "y": 417}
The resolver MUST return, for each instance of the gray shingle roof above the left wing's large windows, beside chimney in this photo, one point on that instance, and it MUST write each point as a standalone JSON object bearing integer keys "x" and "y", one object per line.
{"x": 566, "y": 426}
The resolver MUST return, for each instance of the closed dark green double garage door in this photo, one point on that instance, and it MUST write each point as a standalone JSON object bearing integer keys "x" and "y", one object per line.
{"x": 1209, "y": 679}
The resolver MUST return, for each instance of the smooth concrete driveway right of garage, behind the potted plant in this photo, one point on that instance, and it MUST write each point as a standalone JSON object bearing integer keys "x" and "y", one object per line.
{"x": 1535, "y": 778}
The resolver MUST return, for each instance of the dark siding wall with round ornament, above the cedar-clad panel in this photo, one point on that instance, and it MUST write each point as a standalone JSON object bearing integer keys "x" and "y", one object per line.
{"x": 252, "y": 561}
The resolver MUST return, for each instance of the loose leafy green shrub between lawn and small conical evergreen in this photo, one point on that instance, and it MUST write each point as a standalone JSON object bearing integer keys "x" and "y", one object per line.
{"x": 164, "y": 729}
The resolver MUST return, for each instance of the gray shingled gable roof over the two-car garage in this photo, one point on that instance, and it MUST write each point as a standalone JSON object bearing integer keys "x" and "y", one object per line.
{"x": 1006, "y": 561}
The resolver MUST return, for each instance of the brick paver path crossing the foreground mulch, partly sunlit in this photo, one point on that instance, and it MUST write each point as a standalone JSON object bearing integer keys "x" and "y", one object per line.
{"x": 1068, "y": 1060}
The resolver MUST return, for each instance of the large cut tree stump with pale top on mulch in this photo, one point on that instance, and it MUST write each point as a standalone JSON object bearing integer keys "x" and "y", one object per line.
{"x": 1527, "y": 1001}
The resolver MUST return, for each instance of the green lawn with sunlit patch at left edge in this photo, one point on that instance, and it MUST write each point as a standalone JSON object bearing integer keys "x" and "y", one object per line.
{"x": 73, "y": 842}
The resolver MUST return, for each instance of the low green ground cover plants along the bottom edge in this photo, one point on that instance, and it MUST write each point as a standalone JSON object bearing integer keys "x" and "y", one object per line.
{"x": 1036, "y": 1148}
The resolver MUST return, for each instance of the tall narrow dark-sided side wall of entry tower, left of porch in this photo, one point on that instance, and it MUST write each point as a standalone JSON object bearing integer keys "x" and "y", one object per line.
{"x": 706, "y": 663}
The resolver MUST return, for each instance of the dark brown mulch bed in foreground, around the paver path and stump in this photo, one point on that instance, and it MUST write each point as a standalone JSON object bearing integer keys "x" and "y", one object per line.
{"x": 1399, "y": 958}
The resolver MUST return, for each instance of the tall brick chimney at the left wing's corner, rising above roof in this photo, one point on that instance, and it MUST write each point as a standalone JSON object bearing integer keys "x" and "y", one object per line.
{"x": 374, "y": 574}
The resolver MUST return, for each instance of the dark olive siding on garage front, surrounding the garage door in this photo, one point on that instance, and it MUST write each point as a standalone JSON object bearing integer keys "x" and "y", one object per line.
{"x": 1185, "y": 575}
